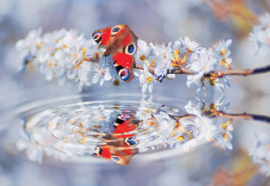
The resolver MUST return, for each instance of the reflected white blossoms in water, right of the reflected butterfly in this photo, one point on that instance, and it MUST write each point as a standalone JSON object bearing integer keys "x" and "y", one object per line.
{"x": 185, "y": 133}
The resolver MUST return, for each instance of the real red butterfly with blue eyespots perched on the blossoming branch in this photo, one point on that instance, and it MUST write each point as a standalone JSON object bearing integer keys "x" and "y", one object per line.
{"x": 121, "y": 43}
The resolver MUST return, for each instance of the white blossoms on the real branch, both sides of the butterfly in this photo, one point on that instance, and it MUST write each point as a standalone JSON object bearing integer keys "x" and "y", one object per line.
{"x": 63, "y": 55}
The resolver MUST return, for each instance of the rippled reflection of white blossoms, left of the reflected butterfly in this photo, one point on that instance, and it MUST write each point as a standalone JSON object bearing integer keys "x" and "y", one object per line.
{"x": 64, "y": 131}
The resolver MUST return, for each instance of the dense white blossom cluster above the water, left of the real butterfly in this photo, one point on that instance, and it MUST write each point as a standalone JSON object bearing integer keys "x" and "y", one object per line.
{"x": 62, "y": 55}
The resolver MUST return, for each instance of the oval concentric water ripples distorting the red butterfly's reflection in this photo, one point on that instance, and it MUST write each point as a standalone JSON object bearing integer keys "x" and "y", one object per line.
{"x": 113, "y": 130}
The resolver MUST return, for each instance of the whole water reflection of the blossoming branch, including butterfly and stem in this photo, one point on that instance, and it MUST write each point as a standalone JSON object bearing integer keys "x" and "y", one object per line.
{"x": 118, "y": 132}
